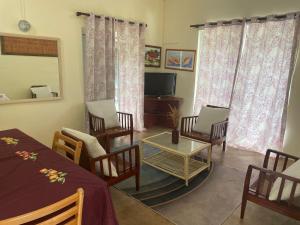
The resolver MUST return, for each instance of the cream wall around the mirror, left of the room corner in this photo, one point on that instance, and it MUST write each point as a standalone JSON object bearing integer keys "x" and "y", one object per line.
{"x": 56, "y": 18}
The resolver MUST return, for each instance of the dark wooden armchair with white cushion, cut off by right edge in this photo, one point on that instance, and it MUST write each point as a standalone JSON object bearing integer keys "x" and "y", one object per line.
{"x": 276, "y": 185}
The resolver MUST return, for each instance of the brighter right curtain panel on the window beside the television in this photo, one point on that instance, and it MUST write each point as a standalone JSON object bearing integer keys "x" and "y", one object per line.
{"x": 131, "y": 53}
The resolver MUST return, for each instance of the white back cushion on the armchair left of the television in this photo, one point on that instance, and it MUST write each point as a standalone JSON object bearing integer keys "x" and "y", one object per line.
{"x": 105, "y": 109}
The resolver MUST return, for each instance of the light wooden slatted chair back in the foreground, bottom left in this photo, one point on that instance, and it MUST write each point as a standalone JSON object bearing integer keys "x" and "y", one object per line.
{"x": 73, "y": 214}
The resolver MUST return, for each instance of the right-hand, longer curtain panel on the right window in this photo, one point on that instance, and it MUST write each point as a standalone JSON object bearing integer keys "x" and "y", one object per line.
{"x": 257, "y": 118}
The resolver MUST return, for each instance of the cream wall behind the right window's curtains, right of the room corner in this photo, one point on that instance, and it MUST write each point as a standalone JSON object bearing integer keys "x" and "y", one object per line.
{"x": 179, "y": 15}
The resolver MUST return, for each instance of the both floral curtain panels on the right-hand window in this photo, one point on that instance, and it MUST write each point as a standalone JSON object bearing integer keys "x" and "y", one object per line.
{"x": 257, "y": 73}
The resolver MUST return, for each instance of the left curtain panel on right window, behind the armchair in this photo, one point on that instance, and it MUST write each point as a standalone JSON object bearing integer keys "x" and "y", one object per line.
{"x": 217, "y": 60}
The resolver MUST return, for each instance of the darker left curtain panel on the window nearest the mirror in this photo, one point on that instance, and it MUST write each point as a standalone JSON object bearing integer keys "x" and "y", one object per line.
{"x": 99, "y": 59}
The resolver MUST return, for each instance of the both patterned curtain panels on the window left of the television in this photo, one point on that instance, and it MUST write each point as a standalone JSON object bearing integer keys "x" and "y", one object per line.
{"x": 115, "y": 50}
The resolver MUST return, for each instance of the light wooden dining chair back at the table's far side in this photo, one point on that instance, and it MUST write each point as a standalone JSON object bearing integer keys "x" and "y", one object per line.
{"x": 71, "y": 147}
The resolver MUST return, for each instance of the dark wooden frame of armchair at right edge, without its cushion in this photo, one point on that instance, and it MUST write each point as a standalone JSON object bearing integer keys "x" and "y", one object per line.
{"x": 259, "y": 191}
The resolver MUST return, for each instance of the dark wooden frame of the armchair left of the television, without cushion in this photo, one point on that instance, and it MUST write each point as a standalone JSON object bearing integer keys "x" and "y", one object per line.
{"x": 106, "y": 135}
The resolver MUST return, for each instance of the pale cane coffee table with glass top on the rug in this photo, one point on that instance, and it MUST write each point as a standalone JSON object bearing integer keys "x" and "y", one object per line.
{"x": 177, "y": 159}
